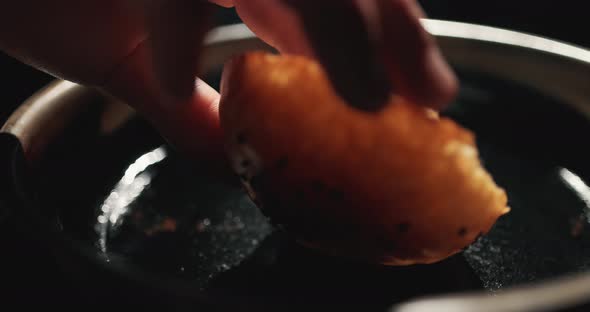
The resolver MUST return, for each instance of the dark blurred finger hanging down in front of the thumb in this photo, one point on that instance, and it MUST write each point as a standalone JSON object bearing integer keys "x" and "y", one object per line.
{"x": 177, "y": 29}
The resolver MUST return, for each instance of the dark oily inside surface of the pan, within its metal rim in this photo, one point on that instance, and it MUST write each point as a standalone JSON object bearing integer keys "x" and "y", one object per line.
{"x": 180, "y": 224}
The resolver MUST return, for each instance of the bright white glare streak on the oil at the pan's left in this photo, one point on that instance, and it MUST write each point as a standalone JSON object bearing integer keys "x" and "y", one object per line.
{"x": 126, "y": 191}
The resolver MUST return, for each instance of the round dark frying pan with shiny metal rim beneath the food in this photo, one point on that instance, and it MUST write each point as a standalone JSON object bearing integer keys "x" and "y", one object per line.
{"x": 134, "y": 224}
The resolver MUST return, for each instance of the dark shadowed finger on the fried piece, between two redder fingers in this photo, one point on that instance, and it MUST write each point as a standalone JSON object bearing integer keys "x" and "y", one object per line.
{"x": 341, "y": 41}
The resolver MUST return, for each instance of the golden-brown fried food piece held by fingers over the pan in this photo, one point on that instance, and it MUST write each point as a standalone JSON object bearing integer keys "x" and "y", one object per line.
{"x": 400, "y": 186}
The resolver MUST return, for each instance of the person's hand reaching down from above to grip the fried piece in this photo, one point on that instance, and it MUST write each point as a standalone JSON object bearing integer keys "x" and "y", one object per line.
{"x": 146, "y": 53}
